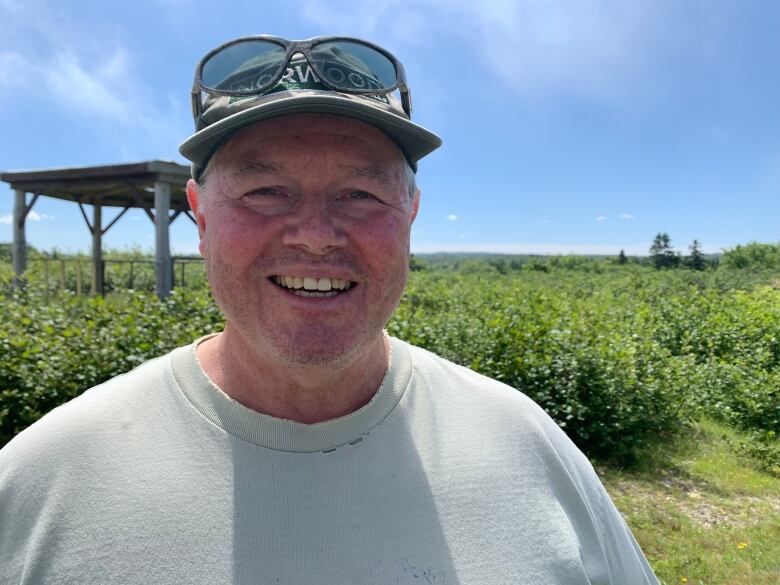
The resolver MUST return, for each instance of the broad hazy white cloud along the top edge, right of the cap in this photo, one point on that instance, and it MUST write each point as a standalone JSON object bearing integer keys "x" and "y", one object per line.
{"x": 601, "y": 50}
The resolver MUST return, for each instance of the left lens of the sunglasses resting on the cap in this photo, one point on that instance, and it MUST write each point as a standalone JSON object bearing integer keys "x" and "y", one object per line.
{"x": 248, "y": 65}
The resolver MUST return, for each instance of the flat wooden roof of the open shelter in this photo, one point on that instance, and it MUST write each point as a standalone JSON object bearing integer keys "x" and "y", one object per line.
{"x": 121, "y": 185}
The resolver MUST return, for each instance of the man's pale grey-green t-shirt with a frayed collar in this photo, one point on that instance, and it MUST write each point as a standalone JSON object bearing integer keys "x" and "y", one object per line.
{"x": 444, "y": 477}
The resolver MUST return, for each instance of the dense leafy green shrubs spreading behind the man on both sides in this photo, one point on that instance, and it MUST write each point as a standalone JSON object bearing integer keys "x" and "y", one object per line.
{"x": 620, "y": 356}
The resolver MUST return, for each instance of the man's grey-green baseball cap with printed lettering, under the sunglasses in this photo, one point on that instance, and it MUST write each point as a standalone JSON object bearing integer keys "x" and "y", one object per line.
{"x": 300, "y": 91}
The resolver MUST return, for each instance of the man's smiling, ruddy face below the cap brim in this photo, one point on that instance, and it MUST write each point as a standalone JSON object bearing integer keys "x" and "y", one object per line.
{"x": 299, "y": 201}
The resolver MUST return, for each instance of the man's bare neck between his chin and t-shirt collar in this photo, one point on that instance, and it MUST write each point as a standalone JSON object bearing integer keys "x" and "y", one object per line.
{"x": 306, "y": 394}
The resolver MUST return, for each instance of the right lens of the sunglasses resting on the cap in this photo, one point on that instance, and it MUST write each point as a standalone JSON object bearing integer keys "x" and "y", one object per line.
{"x": 353, "y": 66}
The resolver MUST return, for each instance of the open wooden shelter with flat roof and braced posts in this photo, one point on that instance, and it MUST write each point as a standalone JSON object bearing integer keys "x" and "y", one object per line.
{"x": 157, "y": 187}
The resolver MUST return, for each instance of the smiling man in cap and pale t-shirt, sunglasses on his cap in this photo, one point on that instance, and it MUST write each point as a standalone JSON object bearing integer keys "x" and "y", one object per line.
{"x": 302, "y": 444}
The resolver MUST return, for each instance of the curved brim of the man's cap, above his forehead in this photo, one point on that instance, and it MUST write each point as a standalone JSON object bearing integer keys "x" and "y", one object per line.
{"x": 414, "y": 140}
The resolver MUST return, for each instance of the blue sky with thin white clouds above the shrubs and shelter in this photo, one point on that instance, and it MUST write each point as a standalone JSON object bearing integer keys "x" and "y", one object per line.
{"x": 569, "y": 126}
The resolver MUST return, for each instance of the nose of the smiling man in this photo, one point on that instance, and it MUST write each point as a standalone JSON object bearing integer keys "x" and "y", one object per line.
{"x": 313, "y": 227}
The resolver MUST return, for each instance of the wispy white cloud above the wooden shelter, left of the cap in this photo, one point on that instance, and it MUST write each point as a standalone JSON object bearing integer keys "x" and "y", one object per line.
{"x": 89, "y": 73}
